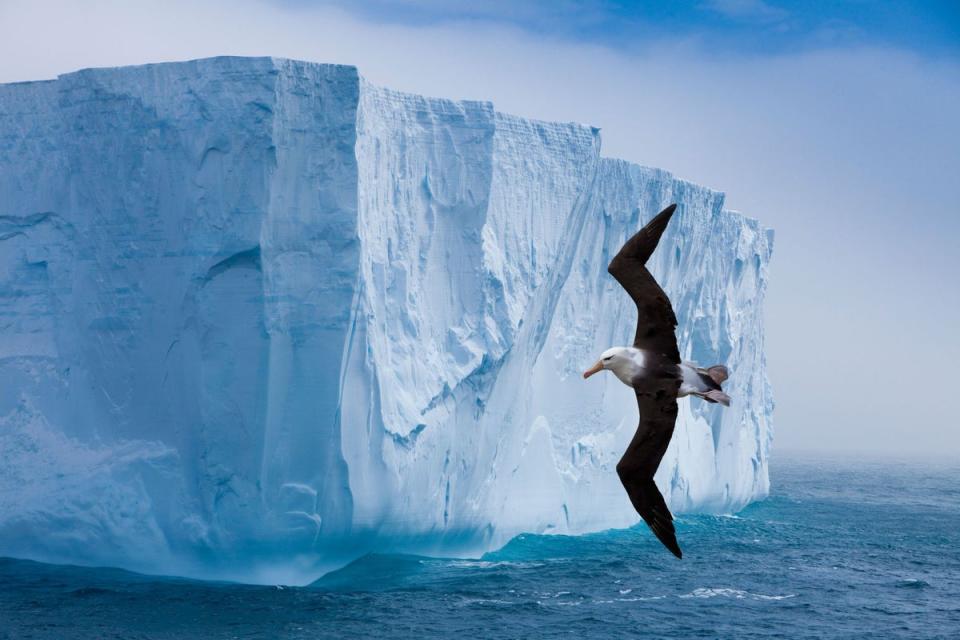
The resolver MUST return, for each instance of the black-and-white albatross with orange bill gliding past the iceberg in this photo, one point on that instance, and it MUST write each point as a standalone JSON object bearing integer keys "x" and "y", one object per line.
{"x": 652, "y": 367}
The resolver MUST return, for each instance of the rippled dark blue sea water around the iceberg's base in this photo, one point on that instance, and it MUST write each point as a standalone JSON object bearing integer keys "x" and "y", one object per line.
{"x": 840, "y": 549}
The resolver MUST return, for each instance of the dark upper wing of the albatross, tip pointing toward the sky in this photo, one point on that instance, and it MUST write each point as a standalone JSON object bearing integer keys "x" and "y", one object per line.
{"x": 656, "y": 322}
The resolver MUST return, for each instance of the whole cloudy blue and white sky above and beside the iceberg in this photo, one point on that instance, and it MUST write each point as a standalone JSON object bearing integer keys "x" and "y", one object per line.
{"x": 834, "y": 123}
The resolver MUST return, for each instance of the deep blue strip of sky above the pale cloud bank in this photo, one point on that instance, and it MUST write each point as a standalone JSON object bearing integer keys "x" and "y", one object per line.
{"x": 746, "y": 26}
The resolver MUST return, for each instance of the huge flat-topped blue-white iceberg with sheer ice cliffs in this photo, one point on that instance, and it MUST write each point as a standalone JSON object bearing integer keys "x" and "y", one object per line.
{"x": 258, "y": 316}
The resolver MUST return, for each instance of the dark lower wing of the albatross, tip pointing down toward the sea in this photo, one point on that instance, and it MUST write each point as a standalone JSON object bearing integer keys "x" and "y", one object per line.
{"x": 657, "y": 401}
